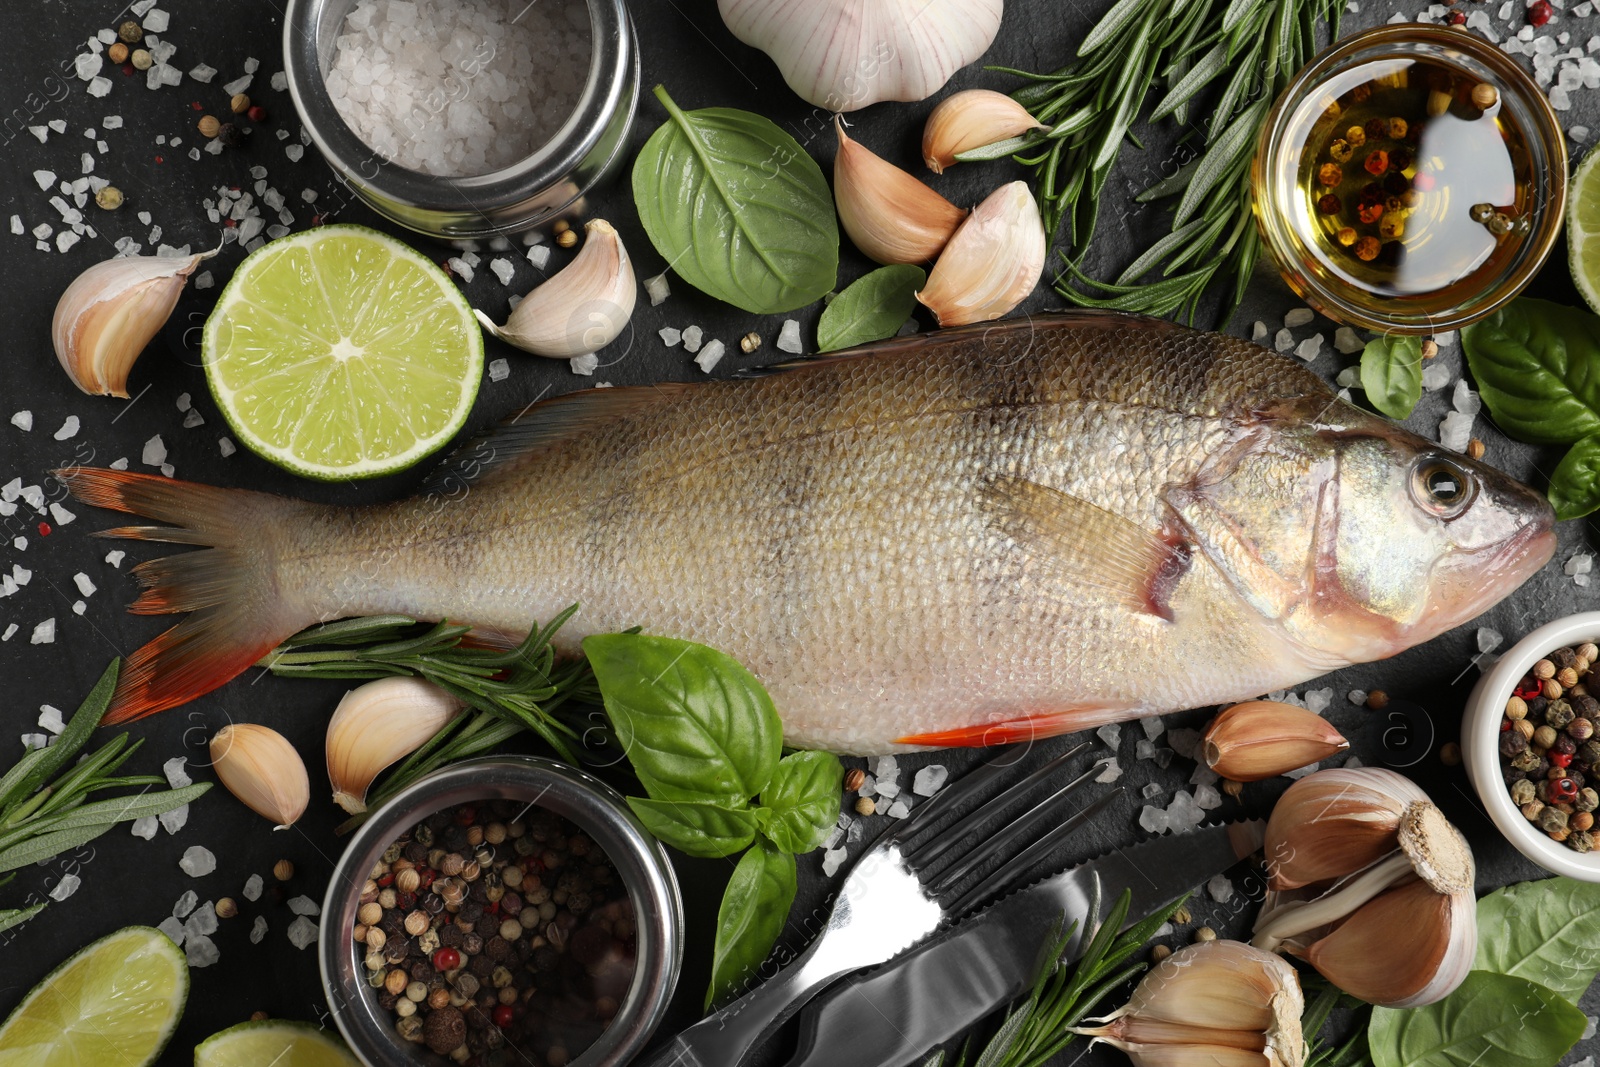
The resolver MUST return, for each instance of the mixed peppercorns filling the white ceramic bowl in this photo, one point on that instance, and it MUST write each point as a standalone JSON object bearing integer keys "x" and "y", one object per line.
{"x": 1550, "y": 751}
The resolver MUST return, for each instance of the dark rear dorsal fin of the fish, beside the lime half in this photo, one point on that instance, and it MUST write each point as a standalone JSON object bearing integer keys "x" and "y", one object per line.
{"x": 542, "y": 425}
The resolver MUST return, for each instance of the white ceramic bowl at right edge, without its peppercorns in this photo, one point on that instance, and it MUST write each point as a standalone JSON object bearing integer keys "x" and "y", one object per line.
{"x": 1481, "y": 745}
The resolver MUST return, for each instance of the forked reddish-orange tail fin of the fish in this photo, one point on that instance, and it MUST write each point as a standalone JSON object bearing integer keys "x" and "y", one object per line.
{"x": 230, "y": 589}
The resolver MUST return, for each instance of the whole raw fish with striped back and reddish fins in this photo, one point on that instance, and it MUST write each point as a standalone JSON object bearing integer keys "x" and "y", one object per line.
{"x": 961, "y": 538}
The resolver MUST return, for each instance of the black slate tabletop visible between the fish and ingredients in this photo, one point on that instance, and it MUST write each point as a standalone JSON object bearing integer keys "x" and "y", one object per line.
{"x": 129, "y": 881}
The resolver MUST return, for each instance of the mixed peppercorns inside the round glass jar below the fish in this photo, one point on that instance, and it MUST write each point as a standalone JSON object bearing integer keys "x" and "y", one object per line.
{"x": 498, "y": 933}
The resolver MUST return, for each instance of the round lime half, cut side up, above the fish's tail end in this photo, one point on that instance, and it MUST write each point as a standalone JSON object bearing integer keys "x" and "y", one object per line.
{"x": 343, "y": 353}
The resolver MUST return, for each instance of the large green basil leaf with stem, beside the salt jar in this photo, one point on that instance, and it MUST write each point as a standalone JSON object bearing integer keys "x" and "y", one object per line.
{"x": 738, "y": 209}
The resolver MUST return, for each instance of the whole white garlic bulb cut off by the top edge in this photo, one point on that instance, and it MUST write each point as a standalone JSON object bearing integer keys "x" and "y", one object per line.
{"x": 844, "y": 55}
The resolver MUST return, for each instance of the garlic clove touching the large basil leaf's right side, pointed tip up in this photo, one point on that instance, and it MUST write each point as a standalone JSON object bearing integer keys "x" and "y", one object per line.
{"x": 887, "y": 214}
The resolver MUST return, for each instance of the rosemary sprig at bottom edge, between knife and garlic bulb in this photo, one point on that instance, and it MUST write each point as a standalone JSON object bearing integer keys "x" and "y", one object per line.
{"x": 1039, "y": 1028}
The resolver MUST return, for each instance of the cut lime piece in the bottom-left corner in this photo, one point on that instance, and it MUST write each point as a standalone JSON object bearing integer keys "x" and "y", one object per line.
{"x": 114, "y": 1004}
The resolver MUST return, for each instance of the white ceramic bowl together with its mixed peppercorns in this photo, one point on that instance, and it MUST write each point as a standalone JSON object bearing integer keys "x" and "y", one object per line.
{"x": 1530, "y": 738}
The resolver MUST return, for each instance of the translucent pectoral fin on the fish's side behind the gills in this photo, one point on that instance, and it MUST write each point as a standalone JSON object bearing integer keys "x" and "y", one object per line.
{"x": 1089, "y": 546}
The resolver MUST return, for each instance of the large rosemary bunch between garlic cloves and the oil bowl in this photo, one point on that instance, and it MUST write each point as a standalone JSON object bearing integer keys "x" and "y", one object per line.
{"x": 1089, "y": 110}
